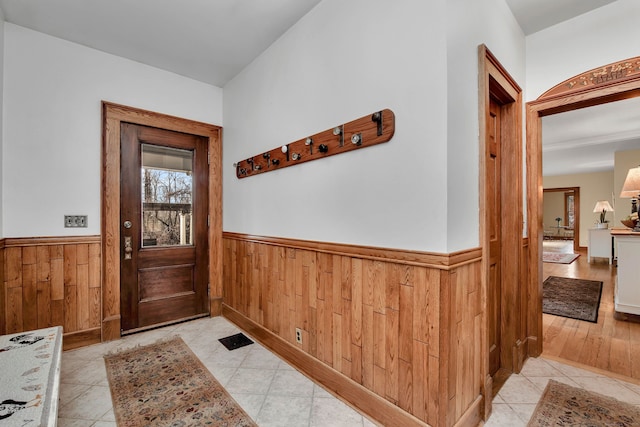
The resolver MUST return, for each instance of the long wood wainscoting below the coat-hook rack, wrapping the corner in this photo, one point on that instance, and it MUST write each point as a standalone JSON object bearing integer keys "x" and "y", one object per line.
{"x": 406, "y": 327}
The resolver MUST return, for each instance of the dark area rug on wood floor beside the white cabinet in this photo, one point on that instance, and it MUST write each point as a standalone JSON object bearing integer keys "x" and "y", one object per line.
{"x": 573, "y": 298}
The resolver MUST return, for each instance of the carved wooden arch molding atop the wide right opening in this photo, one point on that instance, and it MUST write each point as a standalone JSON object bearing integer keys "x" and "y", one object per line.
{"x": 614, "y": 73}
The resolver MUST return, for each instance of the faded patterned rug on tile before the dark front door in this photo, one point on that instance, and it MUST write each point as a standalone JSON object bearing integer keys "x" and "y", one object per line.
{"x": 165, "y": 384}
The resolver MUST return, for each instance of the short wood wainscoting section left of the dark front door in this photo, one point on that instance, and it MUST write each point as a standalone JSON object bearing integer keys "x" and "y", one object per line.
{"x": 52, "y": 282}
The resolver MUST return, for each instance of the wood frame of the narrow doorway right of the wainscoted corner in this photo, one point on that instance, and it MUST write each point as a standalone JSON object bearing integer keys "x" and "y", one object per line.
{"x": 495, "y": 82}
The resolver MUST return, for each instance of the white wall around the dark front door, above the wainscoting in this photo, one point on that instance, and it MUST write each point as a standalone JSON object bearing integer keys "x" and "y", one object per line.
{"x": 52, "y": 125}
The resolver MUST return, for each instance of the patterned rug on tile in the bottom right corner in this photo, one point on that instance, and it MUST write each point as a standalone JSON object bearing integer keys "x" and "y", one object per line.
{"x": 563, "y": 405}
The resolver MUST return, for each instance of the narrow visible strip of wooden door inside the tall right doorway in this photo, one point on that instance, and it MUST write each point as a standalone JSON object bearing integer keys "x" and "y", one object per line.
{"x": 493, "y": 206}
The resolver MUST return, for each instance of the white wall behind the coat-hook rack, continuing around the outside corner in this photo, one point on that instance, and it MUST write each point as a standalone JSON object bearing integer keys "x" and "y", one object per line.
{"x": 344, "y": 60}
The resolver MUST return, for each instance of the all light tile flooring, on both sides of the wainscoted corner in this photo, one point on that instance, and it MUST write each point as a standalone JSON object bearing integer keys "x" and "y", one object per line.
{"x": 275, "y": 394}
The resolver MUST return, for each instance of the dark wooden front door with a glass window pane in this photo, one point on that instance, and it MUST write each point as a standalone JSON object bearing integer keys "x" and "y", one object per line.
{"x": 163, "y": 208}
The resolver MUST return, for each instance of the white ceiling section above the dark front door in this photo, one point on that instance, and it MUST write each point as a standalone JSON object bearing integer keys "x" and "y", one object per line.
{"x": 207, "y": 40}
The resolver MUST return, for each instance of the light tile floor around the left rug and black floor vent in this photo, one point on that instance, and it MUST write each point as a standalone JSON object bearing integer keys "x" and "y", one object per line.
{"x": 271, "y": 391}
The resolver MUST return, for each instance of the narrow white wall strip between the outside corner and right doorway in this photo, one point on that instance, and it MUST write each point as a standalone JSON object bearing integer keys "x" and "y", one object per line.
{"x": 469, "y": 24}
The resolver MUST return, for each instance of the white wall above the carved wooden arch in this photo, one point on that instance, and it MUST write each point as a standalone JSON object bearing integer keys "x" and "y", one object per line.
{"x": 602, "y": 36}
